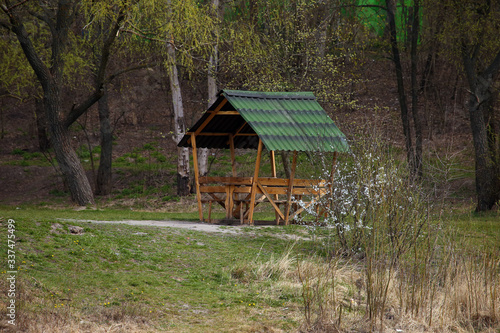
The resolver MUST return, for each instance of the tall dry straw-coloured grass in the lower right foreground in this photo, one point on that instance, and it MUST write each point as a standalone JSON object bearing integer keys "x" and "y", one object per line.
{"x": 459, "y": 292}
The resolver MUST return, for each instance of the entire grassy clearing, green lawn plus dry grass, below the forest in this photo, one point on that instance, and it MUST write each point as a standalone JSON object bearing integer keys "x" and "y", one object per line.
{"x": 121, "y": 278}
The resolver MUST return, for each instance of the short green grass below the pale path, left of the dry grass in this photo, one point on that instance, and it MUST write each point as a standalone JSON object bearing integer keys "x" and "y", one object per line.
{"x": 147, "y": 278}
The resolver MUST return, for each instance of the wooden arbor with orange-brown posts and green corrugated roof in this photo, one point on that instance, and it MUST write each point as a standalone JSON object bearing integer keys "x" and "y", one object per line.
{"x": 251, "y": 120}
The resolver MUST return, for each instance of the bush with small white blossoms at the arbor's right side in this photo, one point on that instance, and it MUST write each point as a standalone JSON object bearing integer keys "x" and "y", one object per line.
{"x": 371, "y": 195}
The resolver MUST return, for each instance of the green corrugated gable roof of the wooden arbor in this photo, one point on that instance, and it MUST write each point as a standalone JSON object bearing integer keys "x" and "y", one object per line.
{"x": 282, "y": 120}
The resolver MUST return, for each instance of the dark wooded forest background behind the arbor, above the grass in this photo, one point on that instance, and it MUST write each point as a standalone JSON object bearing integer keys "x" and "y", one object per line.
{"x": 90, "y": 88}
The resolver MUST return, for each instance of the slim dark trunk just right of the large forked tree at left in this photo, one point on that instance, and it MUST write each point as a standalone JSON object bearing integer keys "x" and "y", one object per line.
{"x": 104, "y": 173}
